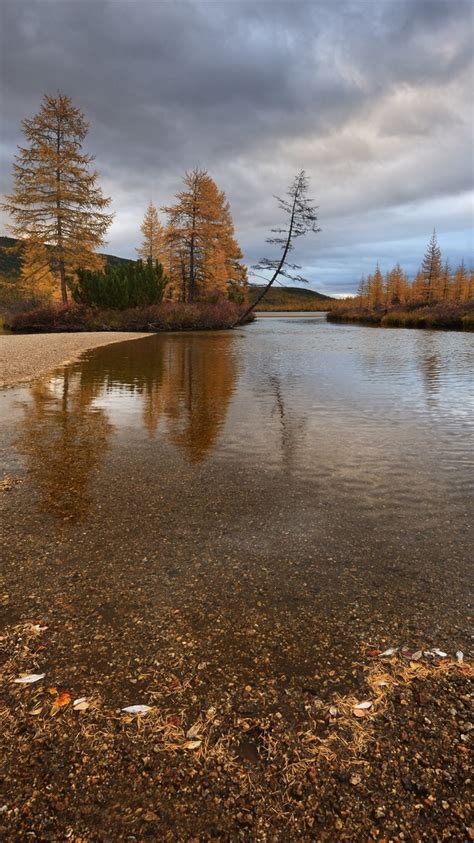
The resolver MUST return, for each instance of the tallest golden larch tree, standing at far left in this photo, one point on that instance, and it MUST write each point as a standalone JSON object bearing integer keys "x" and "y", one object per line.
{"x": 56, "y": 201}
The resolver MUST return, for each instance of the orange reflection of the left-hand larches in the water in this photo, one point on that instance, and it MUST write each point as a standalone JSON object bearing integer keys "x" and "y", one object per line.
{"x": 184, "y": 383}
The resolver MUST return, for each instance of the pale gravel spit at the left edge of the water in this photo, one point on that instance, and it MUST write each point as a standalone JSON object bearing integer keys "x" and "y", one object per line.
{"x": 24, "y": 357}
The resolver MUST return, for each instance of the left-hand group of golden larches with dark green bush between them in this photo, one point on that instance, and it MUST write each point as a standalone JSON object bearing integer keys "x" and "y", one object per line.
{"x": 59, "y": 215}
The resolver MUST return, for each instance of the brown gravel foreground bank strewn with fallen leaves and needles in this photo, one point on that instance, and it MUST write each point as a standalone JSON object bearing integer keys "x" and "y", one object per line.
{"x": 377, "y": 763}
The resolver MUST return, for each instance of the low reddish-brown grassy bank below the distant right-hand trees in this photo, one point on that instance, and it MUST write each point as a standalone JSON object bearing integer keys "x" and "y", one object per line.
{"x": 444, "y": 315}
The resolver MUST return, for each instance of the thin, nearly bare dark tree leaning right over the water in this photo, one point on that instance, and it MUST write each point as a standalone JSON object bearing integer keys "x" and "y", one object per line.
{"x": 302, "y": 217}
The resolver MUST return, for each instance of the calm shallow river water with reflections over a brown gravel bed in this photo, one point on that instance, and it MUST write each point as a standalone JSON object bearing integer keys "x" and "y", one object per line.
{"x": 265, "y": 502}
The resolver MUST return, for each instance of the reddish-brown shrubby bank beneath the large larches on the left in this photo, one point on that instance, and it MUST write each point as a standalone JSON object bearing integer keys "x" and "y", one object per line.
{"x": 167, "y": 316}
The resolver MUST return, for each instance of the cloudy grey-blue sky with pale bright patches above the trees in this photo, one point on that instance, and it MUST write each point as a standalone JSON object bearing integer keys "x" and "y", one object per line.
{"x": 372, "y": 98}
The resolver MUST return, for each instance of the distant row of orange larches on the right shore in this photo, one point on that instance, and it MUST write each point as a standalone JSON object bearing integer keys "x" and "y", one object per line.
{"x": 434, "y": 282}
